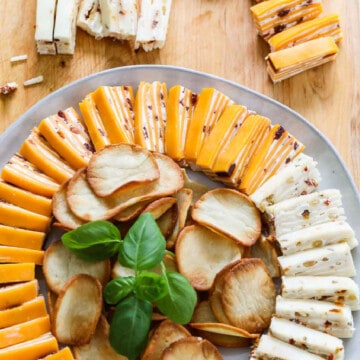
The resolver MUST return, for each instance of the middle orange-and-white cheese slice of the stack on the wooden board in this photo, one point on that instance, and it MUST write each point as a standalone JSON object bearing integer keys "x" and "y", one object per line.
{"x": 328, "y": 25}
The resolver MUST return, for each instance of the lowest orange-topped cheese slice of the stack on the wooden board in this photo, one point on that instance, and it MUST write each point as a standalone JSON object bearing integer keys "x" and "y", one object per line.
{"x": 285, "y": 63}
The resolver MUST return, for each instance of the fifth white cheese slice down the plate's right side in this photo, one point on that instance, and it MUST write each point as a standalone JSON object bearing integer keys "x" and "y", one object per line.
{"x": 337, "y": 289}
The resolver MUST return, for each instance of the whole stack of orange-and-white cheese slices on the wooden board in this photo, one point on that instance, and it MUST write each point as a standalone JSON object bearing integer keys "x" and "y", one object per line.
{"x": 300, "y": 38}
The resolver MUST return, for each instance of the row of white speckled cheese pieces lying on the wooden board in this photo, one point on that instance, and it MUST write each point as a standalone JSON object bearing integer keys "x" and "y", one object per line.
{"x": 144, "y": 22}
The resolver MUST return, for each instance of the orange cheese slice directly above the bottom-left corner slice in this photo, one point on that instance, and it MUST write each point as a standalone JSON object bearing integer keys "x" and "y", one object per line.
{"x": 25, "y": 331}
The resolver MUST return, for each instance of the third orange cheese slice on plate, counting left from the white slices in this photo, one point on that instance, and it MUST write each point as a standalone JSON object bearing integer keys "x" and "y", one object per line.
{"x": 227, "y": 126}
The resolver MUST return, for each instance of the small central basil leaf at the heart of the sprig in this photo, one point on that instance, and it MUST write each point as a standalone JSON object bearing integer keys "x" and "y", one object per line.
{"x": 150, "y": 286}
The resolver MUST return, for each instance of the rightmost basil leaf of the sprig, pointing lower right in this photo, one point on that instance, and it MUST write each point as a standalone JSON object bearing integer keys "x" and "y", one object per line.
{"x": 178, "y": 305}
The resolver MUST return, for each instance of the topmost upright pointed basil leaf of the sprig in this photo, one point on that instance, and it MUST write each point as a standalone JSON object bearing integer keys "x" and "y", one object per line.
{"x": 144, "y": 245}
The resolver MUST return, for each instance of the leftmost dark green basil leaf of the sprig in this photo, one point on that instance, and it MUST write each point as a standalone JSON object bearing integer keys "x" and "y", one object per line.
{"x": 93, "y": 241}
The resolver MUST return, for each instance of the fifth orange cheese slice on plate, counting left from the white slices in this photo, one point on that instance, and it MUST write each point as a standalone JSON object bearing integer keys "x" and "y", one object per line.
{"x": 180, "y": 107}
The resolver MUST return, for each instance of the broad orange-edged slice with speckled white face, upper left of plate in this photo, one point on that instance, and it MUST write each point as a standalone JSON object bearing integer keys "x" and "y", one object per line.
{"x": 66, "y": 134}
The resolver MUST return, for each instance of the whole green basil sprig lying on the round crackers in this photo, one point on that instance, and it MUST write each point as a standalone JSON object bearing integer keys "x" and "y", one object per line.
{"x": 142, "y": 249}
